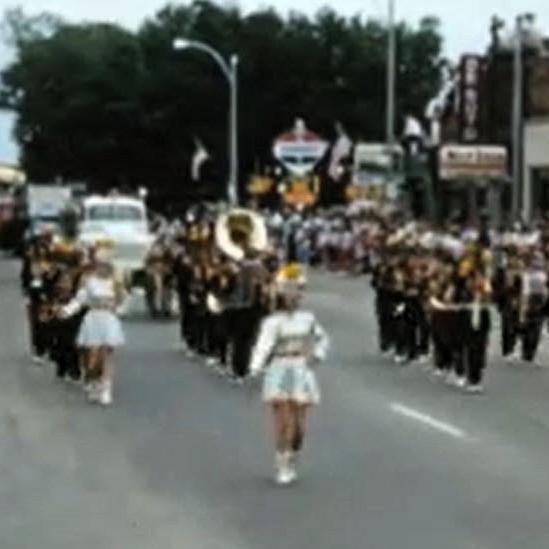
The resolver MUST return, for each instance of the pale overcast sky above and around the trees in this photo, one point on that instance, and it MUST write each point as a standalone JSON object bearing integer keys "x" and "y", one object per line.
{"x": 464, "y": 22}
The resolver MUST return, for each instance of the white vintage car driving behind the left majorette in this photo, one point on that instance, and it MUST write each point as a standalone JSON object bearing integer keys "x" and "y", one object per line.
{"x": 122, "y": 220}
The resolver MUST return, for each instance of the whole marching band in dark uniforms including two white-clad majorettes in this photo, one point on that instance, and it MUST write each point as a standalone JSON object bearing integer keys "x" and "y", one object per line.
{"x": 235, "y": 283}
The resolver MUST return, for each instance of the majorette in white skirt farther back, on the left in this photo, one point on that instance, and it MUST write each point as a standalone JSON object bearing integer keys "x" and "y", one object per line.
{"x": 101, "y": 331}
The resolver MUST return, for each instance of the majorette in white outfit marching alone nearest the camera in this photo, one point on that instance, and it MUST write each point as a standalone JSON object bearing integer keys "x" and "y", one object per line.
{"x": 290, "y": 343}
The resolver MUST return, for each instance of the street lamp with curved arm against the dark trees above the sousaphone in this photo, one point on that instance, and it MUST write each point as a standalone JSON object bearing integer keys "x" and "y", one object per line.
{"x": 230, "y": 71}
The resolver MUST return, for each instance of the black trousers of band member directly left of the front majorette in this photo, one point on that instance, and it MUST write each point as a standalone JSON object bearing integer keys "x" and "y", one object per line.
{"x": 242, "y": 328}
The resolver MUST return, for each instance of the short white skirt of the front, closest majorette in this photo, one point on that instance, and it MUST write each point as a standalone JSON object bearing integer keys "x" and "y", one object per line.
{"x": 290, "y": 380}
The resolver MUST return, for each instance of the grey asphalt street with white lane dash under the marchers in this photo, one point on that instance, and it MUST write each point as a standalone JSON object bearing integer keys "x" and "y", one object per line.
{"x": 394, "y": 458}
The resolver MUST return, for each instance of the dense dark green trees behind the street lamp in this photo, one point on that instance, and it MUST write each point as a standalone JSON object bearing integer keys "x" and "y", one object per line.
{"x": 100, "y": 103}
